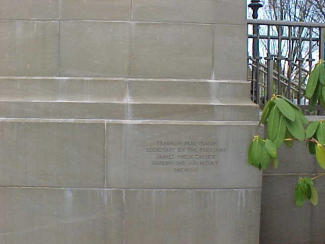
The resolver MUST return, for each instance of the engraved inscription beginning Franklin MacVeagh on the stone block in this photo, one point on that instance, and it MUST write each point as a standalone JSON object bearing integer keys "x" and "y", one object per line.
{"x": 184, "y": 156}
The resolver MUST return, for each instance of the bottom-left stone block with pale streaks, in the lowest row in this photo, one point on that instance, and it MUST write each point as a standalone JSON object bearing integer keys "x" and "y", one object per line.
{"x": 65, "y": 216}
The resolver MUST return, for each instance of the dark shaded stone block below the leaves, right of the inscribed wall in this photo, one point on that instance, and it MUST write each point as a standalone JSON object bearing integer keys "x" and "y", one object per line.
{"x": 281, "y": 221}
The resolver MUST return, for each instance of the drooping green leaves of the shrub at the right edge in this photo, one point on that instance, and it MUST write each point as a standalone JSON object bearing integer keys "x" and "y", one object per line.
{"x": 285, "y": 123}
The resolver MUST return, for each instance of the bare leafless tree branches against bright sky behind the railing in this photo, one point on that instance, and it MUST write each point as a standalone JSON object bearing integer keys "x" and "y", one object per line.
{"x": 293, "y": 58}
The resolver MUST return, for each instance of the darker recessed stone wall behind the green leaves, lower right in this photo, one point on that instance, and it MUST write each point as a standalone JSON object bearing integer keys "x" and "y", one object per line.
{"x": 281, "y": 221}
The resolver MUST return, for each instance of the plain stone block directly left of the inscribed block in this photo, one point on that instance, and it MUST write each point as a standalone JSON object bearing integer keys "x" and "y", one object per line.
{"x": 52, "y": 154}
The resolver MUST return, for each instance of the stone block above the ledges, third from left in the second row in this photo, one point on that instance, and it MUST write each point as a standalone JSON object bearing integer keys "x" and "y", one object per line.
{"x": 171, "y": 51}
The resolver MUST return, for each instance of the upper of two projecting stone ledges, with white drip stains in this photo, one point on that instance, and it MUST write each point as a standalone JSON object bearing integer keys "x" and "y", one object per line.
{"x": 119, "y": 90}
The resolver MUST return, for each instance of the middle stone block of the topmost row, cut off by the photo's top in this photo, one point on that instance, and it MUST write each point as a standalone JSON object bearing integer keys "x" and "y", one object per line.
{"x": 96, "y": 10}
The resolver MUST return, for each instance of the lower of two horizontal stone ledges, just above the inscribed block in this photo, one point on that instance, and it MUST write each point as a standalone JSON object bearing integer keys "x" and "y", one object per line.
{"x": 121, "y": 111}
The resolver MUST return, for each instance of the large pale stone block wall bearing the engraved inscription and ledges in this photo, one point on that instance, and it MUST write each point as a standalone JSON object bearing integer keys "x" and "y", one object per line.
{"x": 125, "y": 122}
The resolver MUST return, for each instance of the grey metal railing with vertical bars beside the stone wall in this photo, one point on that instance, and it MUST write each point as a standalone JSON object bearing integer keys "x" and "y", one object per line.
{"x": 280, "y": 56}
